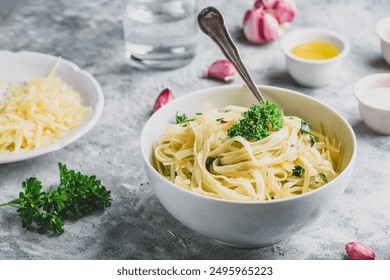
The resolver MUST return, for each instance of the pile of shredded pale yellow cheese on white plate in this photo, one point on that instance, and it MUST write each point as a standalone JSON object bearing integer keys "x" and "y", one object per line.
{"x": 38, "y": 114}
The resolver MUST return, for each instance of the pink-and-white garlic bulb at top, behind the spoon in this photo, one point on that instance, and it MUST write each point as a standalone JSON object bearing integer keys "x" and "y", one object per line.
{"x": 267, "y": 20}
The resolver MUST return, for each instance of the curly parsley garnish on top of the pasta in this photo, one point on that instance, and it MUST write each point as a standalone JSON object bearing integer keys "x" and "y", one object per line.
{"x": 258, "y": 121}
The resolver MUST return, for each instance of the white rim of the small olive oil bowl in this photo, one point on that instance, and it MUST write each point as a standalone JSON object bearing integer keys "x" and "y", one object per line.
{"x": 287, "y": 52}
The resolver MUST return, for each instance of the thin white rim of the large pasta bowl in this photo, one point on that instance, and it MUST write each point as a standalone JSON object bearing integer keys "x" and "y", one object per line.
{"x": 239, "y": 202}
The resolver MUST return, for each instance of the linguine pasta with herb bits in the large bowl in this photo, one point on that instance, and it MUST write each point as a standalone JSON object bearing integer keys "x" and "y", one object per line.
{"x": 199, "y": 156}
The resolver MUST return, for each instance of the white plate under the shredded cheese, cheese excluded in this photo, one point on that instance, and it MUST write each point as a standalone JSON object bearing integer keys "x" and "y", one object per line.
{"x": 24, "y": 66}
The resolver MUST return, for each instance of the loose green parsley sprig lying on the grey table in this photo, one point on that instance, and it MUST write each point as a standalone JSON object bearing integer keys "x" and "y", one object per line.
{"x": 76, "y": 196}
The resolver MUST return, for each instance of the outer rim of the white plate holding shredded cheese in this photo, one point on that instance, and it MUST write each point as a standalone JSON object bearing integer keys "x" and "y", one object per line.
{"x": 79, "y": 131}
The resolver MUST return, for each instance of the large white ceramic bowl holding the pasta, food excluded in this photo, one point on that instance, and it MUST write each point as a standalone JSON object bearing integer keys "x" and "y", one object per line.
{"x": 248, "y": 224}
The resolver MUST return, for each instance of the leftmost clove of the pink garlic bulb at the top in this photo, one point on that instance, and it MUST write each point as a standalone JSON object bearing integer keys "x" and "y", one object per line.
{"x": 252, "y": 26}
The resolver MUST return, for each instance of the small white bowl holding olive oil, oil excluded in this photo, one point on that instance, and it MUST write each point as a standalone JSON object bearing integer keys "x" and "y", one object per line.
{"x": 313, "y": 73}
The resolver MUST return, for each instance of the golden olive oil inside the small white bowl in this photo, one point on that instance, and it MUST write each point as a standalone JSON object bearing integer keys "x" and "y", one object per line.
{"x": 315, "y": 50}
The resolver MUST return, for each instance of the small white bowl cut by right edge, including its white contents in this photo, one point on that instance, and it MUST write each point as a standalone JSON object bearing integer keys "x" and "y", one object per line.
{"x": 373, "y": 95}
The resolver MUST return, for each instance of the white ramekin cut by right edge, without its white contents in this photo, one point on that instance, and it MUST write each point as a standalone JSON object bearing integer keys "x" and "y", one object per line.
{"x": 378, "y": 119}
